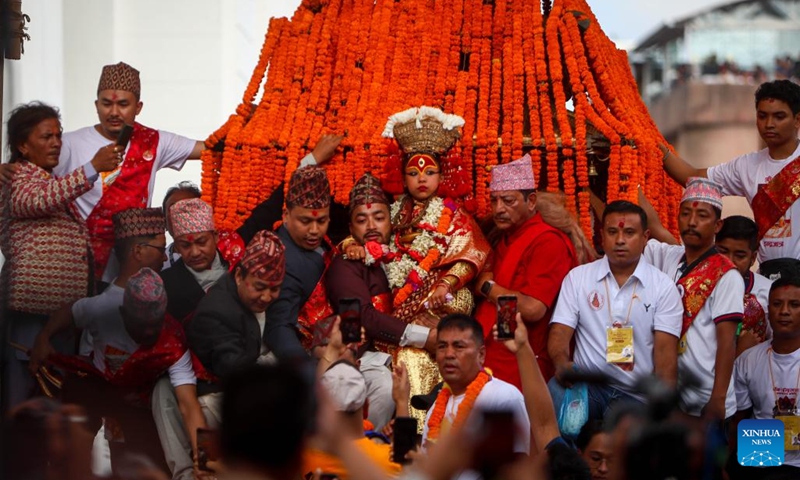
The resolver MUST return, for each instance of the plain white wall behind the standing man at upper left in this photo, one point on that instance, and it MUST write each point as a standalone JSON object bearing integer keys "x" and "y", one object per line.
{"x": 195, "y": 59}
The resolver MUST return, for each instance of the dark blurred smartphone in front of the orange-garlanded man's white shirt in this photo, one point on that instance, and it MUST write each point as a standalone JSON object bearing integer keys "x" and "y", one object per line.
{"x": 496, "y": 441}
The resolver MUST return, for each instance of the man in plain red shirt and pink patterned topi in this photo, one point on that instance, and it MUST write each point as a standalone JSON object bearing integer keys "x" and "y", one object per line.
{"x": 529, "y": 261}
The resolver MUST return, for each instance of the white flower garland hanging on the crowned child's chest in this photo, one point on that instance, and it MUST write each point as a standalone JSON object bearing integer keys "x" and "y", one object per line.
{"x": 397, "y": 271}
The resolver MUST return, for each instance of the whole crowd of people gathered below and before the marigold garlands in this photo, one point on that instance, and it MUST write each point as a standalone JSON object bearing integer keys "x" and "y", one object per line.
{"x": 313, "y": 349}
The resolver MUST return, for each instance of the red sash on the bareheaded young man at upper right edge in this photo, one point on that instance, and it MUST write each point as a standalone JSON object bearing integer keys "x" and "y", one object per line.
{"x": 774, "y": 198}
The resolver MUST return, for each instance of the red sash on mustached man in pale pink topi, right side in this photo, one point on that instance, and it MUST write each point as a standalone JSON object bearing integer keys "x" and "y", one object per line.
{"x": 698, "y": 285}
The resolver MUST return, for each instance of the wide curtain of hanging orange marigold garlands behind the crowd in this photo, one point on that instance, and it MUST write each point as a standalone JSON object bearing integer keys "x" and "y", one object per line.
{"x": 507, "y": 67}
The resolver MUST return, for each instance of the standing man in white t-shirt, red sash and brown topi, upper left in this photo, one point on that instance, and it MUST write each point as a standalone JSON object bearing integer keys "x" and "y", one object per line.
{"x": 131, "y": 184}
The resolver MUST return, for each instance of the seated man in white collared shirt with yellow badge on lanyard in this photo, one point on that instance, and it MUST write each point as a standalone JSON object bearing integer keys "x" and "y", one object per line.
{"x": 611, "y": 305}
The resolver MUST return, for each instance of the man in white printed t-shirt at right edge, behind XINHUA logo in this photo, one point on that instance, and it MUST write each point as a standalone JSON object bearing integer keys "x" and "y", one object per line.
{"x": 767, "y": 377}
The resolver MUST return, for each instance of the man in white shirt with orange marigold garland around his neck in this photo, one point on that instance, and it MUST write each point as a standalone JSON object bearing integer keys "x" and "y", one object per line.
{"x": 460, "y": 352}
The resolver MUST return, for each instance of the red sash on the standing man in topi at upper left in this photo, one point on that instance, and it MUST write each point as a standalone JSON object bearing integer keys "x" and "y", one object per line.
{"x": 129, "y": 190}
